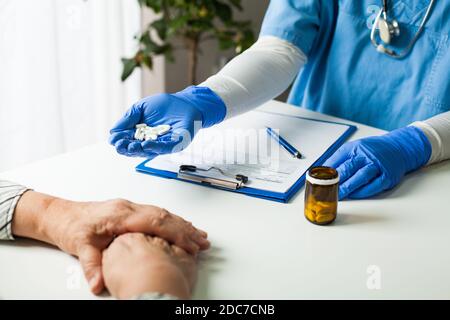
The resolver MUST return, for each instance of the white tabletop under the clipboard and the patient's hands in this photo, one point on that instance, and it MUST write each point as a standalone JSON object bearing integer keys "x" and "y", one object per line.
{"x": 261, "y": 249}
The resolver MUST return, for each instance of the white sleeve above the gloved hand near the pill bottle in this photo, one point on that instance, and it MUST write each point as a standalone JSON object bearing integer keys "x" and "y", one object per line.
{"x": 437, "y": 130}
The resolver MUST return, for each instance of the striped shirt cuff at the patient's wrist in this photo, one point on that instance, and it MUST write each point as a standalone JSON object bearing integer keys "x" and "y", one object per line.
{"x": 9, "y": 196}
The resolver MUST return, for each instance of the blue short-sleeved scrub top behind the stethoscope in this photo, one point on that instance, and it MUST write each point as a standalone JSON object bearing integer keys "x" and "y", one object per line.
{"x": 346, "y": 77}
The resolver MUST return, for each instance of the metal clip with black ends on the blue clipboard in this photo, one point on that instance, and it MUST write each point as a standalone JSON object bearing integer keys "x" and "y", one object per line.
{"x": 190, "y": 173}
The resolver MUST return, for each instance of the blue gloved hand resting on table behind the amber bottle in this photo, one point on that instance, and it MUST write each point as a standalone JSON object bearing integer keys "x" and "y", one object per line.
{"x": 371, "y": 165}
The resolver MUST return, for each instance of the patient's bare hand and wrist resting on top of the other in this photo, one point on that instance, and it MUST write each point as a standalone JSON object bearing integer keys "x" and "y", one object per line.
{"x": 85, "y": 229}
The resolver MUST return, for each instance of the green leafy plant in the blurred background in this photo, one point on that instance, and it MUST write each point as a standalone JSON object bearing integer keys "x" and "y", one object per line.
{"x": 192, "y": 22}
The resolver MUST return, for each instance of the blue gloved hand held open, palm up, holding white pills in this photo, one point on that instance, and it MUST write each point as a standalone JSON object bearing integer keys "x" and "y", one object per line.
{"x": 186, "y": 112}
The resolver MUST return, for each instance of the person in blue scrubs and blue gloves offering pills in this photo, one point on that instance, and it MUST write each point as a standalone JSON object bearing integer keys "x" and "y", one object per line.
{"x": 384, "y": 63}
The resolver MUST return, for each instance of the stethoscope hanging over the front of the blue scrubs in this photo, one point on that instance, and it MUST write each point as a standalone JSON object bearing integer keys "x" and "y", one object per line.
{"x": 389, "y": 29}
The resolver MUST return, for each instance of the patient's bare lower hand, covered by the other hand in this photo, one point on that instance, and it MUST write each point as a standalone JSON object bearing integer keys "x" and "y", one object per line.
{"x": 135, "y": 264}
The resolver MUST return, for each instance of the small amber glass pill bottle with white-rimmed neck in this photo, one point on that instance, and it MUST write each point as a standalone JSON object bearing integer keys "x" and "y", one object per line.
{"x": 321, "y": 195}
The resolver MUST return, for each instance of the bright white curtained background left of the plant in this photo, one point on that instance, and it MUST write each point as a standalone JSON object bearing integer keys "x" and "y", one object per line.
{"x": 60, "y": 72}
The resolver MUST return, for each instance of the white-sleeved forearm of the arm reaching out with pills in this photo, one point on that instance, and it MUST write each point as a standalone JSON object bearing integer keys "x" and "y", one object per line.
{"x": 258, "y": 75}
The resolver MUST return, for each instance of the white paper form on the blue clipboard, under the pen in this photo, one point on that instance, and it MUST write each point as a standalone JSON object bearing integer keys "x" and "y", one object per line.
{"x": 241, "y": 145}
